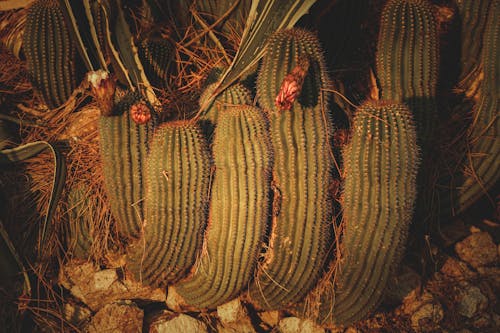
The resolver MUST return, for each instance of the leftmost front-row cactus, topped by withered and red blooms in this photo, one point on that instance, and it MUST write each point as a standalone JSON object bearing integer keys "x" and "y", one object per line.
{"x": 124, "y": 146}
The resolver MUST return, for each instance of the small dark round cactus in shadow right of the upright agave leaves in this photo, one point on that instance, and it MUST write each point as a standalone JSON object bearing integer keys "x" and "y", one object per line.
{"x": 156, "y": 55}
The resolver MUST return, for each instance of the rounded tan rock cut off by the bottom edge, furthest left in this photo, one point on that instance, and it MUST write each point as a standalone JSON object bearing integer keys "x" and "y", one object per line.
{"x": 122, "y": 317}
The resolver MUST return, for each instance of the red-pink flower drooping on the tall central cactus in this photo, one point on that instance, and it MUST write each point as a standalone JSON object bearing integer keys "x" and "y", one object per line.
{"x": 292, "y": 85}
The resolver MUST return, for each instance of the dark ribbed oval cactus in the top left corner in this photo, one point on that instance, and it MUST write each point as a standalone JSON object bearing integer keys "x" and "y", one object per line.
{"x": 49, "y": 52}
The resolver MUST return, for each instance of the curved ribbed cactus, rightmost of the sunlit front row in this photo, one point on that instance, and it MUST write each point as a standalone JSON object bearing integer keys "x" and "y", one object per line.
{"x": 381, "y": 163}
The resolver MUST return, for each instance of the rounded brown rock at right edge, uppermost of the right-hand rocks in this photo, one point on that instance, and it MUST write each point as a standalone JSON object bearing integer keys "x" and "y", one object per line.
{"x": 478, "y": 250}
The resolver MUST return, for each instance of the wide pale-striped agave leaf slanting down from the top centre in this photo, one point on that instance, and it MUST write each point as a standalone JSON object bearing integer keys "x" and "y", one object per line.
{"x": 265, "y": 17}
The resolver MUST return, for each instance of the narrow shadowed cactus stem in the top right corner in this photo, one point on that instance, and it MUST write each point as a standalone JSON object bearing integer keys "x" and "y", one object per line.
{"x": 473, "y": 17}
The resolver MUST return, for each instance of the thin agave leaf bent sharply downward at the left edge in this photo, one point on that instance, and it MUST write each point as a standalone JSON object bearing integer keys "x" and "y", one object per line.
{"x": 26, "y": 151}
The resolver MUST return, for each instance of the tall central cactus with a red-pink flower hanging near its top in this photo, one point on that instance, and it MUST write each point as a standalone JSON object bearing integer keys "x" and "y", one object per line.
{"x": 301, "y": 235}
